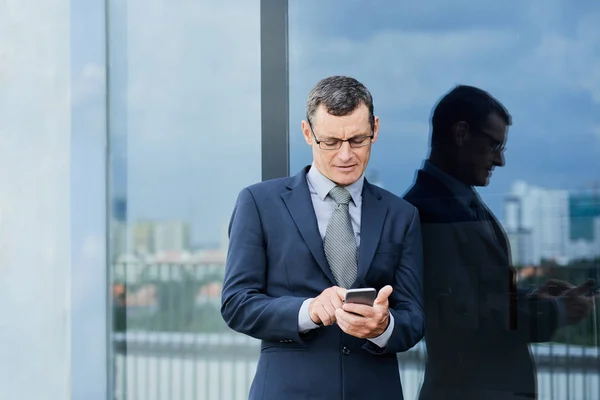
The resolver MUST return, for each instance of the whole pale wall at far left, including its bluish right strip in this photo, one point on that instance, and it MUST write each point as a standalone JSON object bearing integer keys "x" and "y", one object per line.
{"x": 52, "y": 197}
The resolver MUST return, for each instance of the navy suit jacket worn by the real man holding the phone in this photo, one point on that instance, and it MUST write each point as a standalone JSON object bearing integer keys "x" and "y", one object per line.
{"x": 276, "y": 260}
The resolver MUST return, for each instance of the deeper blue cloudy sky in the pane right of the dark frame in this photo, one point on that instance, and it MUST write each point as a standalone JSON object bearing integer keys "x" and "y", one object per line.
{"x": 541, "y": 60}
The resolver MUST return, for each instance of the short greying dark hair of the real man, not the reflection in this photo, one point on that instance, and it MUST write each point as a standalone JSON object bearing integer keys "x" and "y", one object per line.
{"x": 340, "y": 95}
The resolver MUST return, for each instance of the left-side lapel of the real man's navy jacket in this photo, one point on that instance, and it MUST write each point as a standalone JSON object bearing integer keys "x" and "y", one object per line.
{"x": 299, "y": 205}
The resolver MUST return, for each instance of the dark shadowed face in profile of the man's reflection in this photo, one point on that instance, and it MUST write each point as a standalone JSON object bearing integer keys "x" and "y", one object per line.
{"x": 482, "y": 150}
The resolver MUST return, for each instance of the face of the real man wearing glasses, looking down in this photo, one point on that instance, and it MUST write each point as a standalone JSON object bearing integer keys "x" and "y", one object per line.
{"x": 345, "y": 165}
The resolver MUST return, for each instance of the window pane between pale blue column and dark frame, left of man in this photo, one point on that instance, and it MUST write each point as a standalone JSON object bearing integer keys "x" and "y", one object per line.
{"x": 185, "y": 130}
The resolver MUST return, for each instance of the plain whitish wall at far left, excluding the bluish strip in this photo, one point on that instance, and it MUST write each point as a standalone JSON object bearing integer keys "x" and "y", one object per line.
{"x": 34, "y": 199}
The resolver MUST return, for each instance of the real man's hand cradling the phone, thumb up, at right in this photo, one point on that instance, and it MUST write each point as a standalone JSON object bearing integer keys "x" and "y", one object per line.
{"x": 363, "y": 321}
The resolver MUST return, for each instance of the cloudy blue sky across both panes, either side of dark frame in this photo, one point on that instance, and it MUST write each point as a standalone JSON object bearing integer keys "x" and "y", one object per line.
{"x": 185, "y": 90}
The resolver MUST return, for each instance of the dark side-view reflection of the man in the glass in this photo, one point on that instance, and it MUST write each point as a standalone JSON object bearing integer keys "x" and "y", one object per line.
{"x": 478, "y": 324}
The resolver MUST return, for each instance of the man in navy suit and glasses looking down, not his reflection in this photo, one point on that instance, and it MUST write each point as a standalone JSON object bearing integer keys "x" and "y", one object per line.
{"x": 297, "y": 244}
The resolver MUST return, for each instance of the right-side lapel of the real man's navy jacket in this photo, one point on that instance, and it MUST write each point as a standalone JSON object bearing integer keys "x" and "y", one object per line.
{"x": 373, "y": 213}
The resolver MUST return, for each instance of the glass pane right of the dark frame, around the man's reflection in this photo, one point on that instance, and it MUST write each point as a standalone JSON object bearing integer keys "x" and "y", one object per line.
{"x": 541, "y": 60}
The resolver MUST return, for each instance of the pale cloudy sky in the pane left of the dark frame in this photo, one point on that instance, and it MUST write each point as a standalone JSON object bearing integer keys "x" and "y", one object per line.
{"x": 190, "y": 73}
